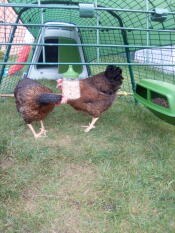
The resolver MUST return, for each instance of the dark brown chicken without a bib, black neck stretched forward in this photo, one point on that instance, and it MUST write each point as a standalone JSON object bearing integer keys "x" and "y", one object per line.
{"x": 35, "y": 101}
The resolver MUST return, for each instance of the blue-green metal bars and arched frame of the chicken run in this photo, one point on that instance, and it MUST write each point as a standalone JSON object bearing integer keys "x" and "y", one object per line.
{"x": 75, "y": 6}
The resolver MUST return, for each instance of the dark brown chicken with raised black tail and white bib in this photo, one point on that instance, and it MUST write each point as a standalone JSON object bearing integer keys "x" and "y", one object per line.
{"x": 96, "y": 93}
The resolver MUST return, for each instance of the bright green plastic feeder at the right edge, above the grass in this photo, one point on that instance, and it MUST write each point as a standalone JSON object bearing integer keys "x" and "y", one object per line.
{"x": 158, "y": 97}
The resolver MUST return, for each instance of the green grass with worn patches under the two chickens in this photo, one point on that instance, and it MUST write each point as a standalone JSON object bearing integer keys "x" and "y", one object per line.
{"x": 117, "y": 178}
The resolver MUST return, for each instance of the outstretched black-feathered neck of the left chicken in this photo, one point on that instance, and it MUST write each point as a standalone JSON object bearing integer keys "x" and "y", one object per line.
{"x": 49, "y": 98}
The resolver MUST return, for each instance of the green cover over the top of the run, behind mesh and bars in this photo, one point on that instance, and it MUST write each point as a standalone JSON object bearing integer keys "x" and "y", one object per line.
{"x": 132, "y": 17}
